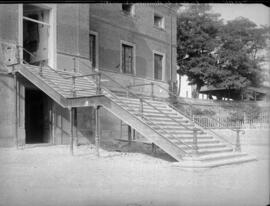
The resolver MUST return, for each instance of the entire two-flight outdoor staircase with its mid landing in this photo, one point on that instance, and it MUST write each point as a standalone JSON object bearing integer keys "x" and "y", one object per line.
{"x": 155, "y": 120}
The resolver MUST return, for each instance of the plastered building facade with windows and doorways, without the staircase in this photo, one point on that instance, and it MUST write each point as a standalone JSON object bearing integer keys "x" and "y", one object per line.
{"x": 133, "y": 43}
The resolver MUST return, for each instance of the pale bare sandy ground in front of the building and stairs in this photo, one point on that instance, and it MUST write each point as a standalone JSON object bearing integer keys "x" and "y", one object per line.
{"x": 48, "y": 175}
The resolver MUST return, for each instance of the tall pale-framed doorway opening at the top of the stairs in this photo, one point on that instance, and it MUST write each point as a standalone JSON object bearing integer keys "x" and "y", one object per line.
{"x": 37, "y": 33}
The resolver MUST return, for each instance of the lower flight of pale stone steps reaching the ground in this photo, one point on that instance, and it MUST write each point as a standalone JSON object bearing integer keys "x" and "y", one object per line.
{"x": 211, "y": 150}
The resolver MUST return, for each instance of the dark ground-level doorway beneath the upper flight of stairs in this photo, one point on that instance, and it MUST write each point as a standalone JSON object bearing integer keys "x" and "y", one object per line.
{"x": 37, "y": 118}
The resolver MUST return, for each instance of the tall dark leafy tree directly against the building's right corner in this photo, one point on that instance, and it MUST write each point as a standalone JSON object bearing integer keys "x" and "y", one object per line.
{"x": 197, "y": 37}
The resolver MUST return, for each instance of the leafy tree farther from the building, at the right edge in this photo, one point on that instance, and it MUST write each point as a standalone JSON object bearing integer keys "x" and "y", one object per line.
{"x": 239, "y": 56}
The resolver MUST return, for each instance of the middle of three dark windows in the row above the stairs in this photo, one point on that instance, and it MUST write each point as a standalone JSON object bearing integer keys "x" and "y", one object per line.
{"x": 127, "y": 59}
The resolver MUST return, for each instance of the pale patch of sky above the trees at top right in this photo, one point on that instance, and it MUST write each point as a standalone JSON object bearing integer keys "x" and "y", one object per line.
{"x": 258, "y": 13}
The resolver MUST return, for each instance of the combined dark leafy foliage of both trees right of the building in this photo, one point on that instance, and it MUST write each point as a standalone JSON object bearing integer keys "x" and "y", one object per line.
{"x": 211, "y": 52}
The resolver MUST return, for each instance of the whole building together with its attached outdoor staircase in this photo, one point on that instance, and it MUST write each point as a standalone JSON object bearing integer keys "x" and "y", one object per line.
{"x": 80, "y": 73}
